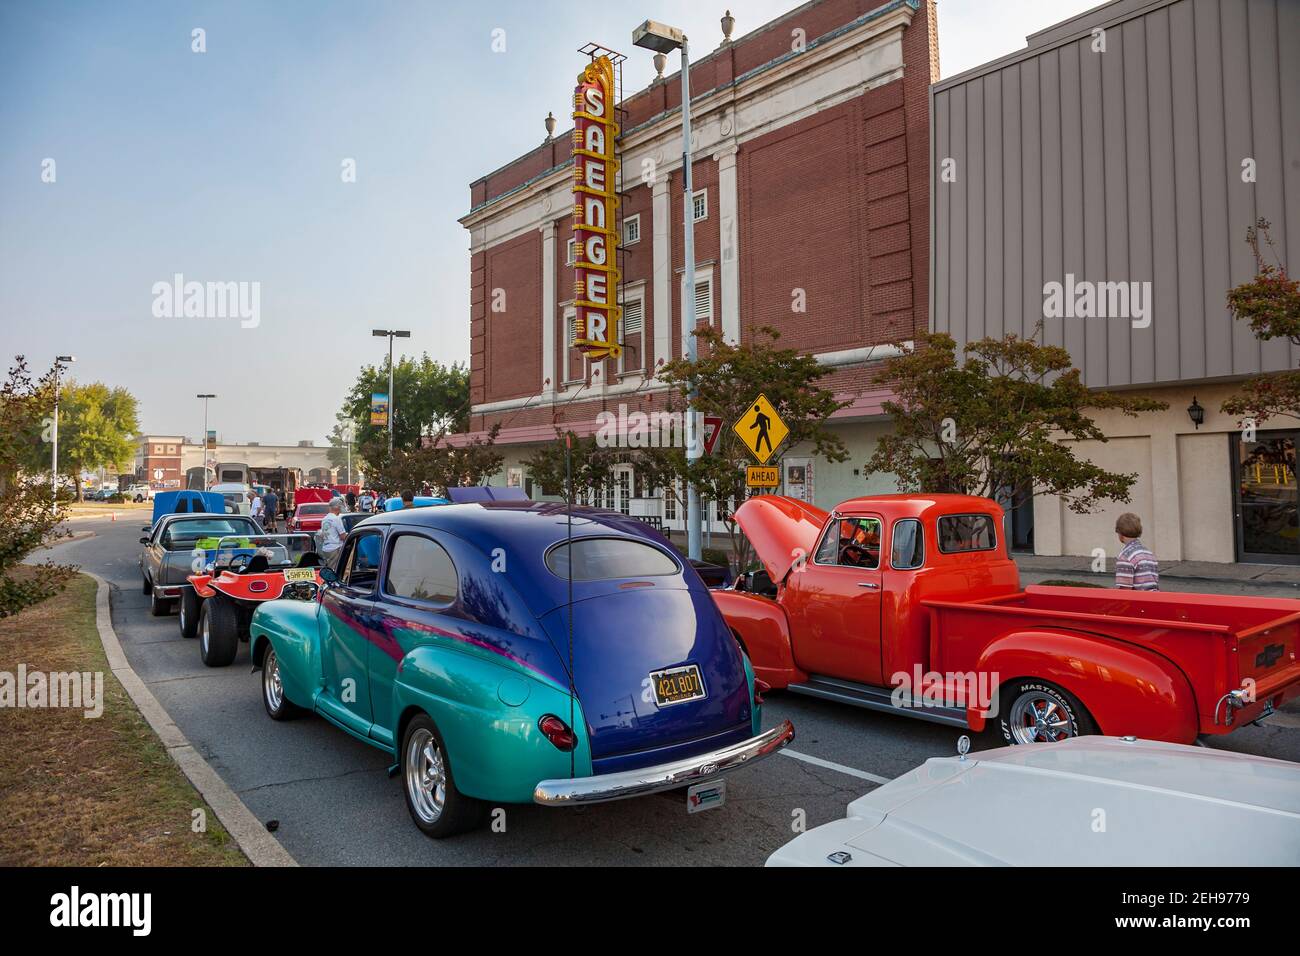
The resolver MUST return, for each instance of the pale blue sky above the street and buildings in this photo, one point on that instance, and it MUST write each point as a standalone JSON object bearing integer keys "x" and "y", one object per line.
{"x": 227, "y": 167}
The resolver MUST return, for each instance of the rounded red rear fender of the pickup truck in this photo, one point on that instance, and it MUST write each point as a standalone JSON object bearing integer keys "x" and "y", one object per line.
{"x": 1126, "y": 689}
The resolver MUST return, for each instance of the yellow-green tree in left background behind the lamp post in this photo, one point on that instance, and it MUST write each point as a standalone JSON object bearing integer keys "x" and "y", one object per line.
{"x": 97, "y": 427}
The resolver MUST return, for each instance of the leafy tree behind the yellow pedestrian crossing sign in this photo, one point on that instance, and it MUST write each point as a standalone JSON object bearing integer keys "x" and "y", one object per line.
{"x": 729, "y": 378}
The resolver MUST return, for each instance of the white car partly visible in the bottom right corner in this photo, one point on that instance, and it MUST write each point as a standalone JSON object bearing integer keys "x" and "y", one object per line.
{"x": 1087, "y": 802}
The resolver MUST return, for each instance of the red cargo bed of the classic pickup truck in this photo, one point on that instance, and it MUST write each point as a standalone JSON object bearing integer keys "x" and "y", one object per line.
{"x": 1219, "y": 642}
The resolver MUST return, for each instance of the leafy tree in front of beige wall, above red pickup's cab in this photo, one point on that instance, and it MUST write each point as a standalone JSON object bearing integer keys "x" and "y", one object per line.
{"x": 1000, "y": 425}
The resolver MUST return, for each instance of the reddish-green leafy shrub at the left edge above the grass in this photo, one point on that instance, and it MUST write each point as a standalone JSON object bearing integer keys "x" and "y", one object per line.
{"x": 28, "y": 520}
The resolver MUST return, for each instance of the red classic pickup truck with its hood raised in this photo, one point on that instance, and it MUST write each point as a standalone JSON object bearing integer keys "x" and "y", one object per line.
{"x": 911, "y": 604}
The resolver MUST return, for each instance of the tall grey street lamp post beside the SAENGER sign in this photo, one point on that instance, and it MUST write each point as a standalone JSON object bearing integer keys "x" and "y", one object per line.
{"x": 662, "y": 38}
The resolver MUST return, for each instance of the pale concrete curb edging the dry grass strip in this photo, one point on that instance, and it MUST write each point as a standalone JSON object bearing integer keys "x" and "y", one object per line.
{"x": 248, "y": 832}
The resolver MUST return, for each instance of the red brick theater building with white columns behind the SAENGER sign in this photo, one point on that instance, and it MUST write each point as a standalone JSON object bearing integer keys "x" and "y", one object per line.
{"x": 812, "y": 181}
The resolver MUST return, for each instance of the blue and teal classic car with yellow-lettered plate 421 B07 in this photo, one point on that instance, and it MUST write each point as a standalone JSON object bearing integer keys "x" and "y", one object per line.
{"x": 515, "y": 652}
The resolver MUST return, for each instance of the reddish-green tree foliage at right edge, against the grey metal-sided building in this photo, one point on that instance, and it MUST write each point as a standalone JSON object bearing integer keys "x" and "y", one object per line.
{"x": 1271, "y": 304}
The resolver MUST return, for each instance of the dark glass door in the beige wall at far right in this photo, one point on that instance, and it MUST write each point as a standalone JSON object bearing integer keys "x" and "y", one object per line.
{"x": 1268, "y": 508}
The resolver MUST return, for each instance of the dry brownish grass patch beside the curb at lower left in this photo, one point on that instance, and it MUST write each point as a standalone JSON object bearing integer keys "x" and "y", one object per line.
{"x": 90, "y": 793}
